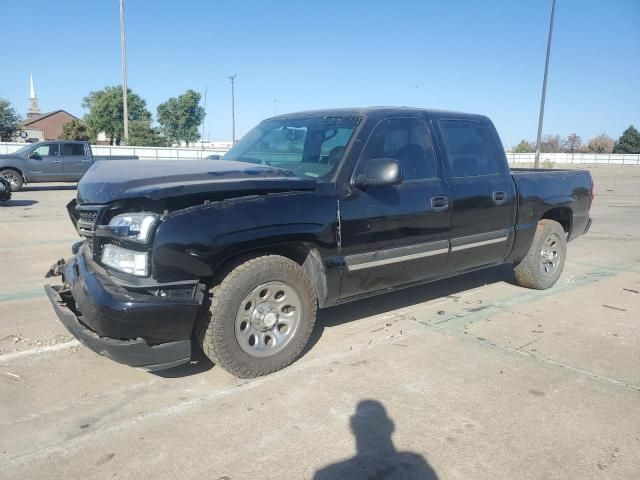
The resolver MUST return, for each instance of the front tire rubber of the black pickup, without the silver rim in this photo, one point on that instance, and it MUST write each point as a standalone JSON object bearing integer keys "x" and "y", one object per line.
{"x": 216, "y": 325}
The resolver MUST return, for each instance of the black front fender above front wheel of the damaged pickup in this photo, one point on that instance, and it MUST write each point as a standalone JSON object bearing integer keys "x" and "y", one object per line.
{"x": 192, "y": 243}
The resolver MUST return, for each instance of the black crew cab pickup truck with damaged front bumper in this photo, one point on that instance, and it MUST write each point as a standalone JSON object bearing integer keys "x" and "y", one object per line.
{"x": 308, "y": 210}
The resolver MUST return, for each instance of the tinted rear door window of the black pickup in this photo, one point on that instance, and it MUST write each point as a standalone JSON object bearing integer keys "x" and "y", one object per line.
{"x": 470, "y": 152}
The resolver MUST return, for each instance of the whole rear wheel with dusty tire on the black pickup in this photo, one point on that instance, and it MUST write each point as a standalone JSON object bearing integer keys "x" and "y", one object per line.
{"x": 544, "y": 262}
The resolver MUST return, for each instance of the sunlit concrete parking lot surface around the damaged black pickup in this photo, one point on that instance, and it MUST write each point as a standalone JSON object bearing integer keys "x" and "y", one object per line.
{"x": 468, "y": 378}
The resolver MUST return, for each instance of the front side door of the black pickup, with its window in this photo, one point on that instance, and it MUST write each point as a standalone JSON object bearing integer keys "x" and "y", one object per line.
{"x": 396, "y": 235}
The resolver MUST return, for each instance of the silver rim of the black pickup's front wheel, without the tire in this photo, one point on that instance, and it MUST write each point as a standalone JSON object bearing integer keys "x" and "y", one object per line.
{"x": 268, "y": 319}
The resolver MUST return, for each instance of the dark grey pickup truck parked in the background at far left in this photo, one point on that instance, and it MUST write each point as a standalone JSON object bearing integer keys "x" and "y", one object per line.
{"x": 50, "y": 161}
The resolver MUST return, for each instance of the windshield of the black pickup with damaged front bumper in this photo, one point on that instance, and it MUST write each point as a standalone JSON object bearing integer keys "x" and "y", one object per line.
{"x": 308, "y": 146}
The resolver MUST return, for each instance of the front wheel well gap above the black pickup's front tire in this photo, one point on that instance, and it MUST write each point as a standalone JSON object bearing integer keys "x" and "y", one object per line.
{"x": 307, "y": 256}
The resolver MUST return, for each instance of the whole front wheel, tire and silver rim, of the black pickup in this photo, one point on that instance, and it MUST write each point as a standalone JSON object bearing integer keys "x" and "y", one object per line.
{"x": 260, "y": 317}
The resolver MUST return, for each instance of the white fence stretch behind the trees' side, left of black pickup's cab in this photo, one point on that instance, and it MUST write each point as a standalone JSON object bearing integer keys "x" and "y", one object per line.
{"x": 145, "y": 153}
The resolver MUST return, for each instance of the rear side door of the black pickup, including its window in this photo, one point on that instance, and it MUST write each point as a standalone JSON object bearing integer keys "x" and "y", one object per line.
{"x": 483, "y": 193}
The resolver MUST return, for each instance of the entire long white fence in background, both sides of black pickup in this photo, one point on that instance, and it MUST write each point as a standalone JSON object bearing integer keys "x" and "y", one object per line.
{"x": 170, "y": 153}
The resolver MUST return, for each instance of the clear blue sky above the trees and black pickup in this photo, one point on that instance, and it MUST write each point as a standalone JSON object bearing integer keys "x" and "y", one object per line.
{"x": 477, "y": 56}
